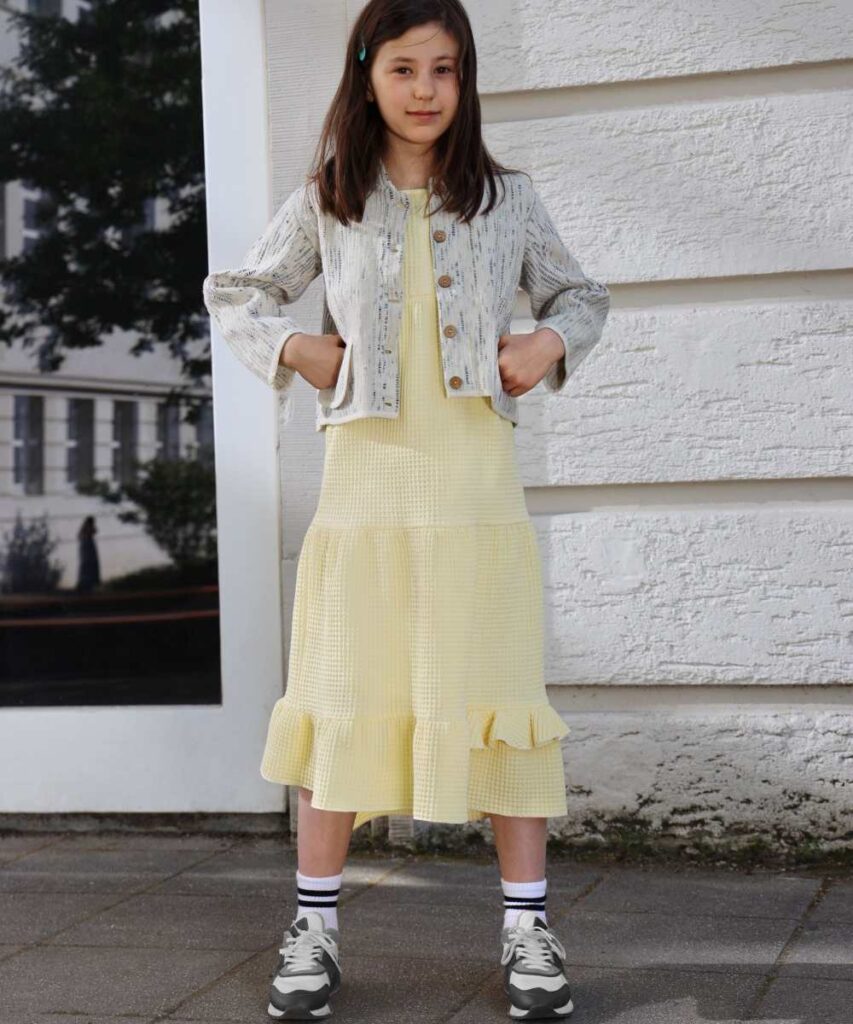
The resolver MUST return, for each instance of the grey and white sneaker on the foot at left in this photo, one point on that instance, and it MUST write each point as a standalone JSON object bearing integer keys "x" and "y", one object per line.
{"x": 309, "y": 970}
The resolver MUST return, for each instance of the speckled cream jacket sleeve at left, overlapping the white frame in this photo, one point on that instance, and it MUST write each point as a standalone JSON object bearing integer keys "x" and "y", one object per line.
{"x": 246, "y": 304}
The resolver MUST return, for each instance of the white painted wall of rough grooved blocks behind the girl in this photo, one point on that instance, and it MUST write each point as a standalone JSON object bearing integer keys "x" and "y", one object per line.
{"x": 692, "y": 488}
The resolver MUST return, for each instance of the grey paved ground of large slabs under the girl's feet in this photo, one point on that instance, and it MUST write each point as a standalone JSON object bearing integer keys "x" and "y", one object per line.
{"x": 136, "y": 928}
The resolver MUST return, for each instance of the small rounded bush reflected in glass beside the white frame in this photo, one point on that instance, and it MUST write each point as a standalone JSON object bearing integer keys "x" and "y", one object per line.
{"x": 176, "y": 503}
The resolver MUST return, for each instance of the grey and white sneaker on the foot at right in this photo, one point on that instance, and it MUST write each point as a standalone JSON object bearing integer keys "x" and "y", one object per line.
{"x": 534, "y": 978}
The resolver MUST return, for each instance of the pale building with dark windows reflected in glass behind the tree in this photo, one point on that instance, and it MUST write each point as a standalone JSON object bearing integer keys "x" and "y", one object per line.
{"x": 101, "y": 413}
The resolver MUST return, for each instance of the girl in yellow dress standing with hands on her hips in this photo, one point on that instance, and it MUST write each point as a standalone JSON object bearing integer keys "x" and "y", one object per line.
{"x": 415, "y": 682}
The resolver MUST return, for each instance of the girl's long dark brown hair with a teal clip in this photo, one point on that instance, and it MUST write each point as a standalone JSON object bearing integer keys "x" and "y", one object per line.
{"x": 349, "y": 154}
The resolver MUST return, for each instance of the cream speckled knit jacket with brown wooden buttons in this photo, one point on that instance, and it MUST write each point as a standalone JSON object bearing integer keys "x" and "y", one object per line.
{"x": 479, "y": 270}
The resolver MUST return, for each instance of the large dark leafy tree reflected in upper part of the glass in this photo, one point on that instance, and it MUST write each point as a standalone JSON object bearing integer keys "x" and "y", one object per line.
{"x": 102, "y": 115}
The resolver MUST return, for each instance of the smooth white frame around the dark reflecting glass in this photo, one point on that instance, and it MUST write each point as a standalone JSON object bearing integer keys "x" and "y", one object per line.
{"x": 196, "y": 758}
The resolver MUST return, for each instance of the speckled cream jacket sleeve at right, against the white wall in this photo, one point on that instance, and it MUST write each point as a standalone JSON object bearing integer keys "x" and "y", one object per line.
{"x": 563, "y": 297}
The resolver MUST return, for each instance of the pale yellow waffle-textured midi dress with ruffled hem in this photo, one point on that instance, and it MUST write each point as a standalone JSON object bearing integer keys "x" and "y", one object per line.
{"x": 415, "y": 682}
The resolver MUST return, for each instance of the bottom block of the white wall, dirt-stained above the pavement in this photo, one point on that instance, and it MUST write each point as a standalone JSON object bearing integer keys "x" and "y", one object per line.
{"x": 726, "y": 773}
